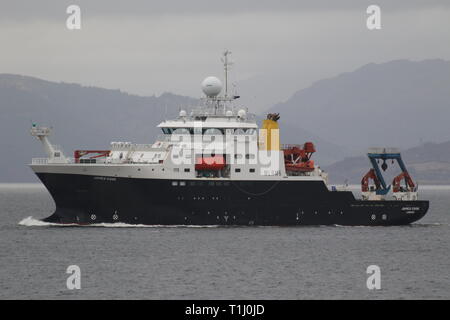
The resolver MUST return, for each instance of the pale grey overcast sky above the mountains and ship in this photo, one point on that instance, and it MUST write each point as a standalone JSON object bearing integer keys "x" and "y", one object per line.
{"x": 149, "y": 47}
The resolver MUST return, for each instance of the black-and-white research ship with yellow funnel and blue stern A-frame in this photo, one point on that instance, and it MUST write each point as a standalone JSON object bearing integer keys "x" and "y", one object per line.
{"x": 213, "y": 166}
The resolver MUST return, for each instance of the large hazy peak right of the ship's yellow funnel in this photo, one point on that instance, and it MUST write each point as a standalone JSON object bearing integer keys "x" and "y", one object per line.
{"x": 399, "y": 103}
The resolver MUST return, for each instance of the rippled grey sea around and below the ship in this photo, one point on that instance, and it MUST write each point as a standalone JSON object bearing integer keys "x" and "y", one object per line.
{"x": 145, "y": 262}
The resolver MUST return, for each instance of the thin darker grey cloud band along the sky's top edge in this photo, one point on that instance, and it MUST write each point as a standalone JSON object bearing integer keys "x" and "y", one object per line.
{"x": 18, "y": 10}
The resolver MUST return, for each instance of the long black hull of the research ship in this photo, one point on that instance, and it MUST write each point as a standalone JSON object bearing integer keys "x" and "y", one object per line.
{"x": 84, "y": 199}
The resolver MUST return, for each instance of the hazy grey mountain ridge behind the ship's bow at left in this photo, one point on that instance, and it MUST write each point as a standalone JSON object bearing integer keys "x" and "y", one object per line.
{"x": 82, "y": 118}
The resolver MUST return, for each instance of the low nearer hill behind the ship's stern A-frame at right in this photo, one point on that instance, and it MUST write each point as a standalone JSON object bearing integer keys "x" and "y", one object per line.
{"x": 428, "y": 163}
